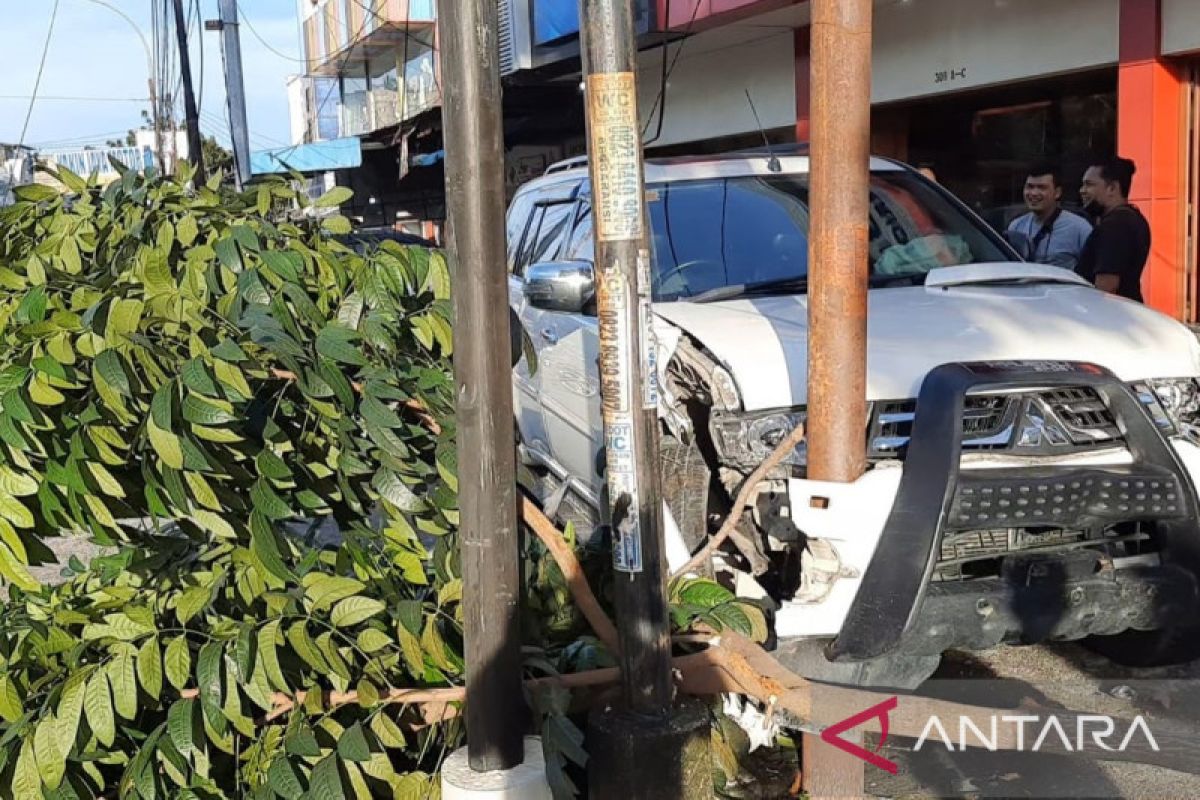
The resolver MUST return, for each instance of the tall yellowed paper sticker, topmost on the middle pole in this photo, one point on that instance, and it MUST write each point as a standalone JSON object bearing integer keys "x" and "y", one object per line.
{"x": 616, "y": 142}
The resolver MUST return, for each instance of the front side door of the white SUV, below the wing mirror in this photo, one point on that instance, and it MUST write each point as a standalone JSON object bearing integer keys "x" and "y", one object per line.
{"x": 572, "y": 386}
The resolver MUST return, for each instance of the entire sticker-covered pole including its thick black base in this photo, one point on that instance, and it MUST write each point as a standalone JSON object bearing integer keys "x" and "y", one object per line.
{"x": 644, "y": 749}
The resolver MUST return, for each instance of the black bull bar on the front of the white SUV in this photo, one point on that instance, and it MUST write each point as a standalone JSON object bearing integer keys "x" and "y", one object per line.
{"x": 929, "y": 501}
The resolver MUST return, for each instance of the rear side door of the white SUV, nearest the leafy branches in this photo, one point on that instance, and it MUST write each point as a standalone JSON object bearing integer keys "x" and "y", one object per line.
{"x": 538, "y": 222}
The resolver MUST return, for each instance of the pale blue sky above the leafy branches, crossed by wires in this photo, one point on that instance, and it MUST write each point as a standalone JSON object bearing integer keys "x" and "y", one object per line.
{"x": 94, "y": 53}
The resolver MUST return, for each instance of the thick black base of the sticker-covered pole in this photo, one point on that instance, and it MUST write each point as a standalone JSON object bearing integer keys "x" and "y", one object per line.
{"x": 634, "y": 757}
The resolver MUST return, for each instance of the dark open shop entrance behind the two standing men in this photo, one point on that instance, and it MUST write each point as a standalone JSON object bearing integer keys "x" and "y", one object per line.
{"x": 982, "y": 143}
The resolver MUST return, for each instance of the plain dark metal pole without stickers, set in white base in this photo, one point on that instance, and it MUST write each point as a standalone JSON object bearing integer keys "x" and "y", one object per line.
{"x": 476, "y": 201}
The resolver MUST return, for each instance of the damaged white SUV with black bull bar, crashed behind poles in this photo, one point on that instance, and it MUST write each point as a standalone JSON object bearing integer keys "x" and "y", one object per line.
{"x": 1031, "y": 443}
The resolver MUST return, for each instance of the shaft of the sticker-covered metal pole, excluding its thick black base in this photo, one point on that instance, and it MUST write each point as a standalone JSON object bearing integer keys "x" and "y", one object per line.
{"x": 628, "y": 380}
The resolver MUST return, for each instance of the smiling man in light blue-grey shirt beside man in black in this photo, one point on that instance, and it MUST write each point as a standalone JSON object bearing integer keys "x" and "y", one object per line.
{"x": 1048, "y": 234}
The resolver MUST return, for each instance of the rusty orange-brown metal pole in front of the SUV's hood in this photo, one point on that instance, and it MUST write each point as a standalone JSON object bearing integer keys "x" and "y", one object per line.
{"x": 841, "y": 123}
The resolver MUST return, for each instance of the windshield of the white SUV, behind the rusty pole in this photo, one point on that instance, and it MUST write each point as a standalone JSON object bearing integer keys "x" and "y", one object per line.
{"x": 741, "y": 232}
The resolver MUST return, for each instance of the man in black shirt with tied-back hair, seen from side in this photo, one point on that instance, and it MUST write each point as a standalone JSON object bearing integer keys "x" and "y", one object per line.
{"x": 1115, "y": 255}
